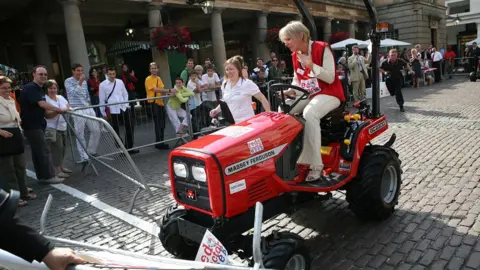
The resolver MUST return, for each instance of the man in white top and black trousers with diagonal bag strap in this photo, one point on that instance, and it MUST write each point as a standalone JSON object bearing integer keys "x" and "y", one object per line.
{"x": 113, "y": 91}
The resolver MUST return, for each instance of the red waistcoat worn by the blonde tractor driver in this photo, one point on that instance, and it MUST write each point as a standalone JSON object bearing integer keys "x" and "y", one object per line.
{"x": 335, "y": 88}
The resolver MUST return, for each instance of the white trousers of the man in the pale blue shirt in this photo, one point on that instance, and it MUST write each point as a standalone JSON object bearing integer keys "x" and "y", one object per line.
{"x": 93, "y": 130}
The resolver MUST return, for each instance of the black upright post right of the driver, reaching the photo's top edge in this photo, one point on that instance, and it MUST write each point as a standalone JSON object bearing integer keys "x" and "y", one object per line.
{"x": 375, "y": 40}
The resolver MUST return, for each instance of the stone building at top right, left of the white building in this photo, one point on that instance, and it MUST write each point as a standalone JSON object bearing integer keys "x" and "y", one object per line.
{"x": 413, "y": 21}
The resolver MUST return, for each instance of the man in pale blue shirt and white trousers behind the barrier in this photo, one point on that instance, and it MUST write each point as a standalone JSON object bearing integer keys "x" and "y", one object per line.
{"x": 78, "y": 97}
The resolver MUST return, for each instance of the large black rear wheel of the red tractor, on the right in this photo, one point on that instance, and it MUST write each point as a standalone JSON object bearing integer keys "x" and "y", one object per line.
{"x": 374, "y": 193}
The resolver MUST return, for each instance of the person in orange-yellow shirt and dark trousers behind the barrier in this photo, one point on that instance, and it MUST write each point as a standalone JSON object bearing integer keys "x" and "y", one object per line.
{"x": 155, "y": 88}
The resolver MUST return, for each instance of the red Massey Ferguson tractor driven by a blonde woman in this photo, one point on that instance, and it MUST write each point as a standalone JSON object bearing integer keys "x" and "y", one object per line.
{"x": 217, "y": 179}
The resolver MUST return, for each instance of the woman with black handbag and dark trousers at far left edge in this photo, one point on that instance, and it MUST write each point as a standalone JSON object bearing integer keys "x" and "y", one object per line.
{"x": 12, "y": 159}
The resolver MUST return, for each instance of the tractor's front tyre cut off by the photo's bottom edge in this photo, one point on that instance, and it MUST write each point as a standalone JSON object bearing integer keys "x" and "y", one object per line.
{"x": 286, "y": 251}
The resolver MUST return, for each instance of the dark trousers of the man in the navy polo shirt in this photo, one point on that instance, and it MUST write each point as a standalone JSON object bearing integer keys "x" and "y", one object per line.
{"x": 42, "y": 161}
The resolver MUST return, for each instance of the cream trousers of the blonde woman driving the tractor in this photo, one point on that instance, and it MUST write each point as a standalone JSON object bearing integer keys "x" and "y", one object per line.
{"x": 313, "y": 112}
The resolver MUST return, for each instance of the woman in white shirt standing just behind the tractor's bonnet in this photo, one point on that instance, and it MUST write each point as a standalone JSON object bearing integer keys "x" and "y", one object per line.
{"x": 238, "y": 91}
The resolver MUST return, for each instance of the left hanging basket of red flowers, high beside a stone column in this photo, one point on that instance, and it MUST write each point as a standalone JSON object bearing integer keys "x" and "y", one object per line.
{"x": 171, "y": 38}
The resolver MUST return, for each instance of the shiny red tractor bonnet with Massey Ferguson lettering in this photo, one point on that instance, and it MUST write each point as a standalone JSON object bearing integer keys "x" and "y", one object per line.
{"x": 250, "y": 142}
